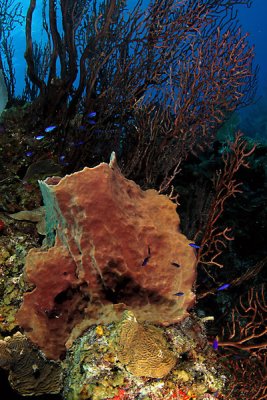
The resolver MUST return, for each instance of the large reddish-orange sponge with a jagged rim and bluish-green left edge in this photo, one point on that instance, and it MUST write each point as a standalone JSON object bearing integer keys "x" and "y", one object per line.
{"x": 116, "y": 247}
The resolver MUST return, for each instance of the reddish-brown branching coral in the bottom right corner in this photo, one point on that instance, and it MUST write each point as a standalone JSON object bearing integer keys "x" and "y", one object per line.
{"x": 244, "y": 345}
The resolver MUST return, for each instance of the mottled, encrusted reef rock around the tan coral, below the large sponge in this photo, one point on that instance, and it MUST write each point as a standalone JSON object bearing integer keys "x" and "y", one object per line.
{"x": 95, "y": 370}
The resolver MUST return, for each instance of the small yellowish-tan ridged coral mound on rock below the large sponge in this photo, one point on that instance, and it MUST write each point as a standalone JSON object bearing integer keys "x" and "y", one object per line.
{"x": 143, "y": 348}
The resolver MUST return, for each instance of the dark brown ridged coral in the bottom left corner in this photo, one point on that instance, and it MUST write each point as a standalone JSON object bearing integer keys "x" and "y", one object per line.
{"x": 29, "y": 372}
